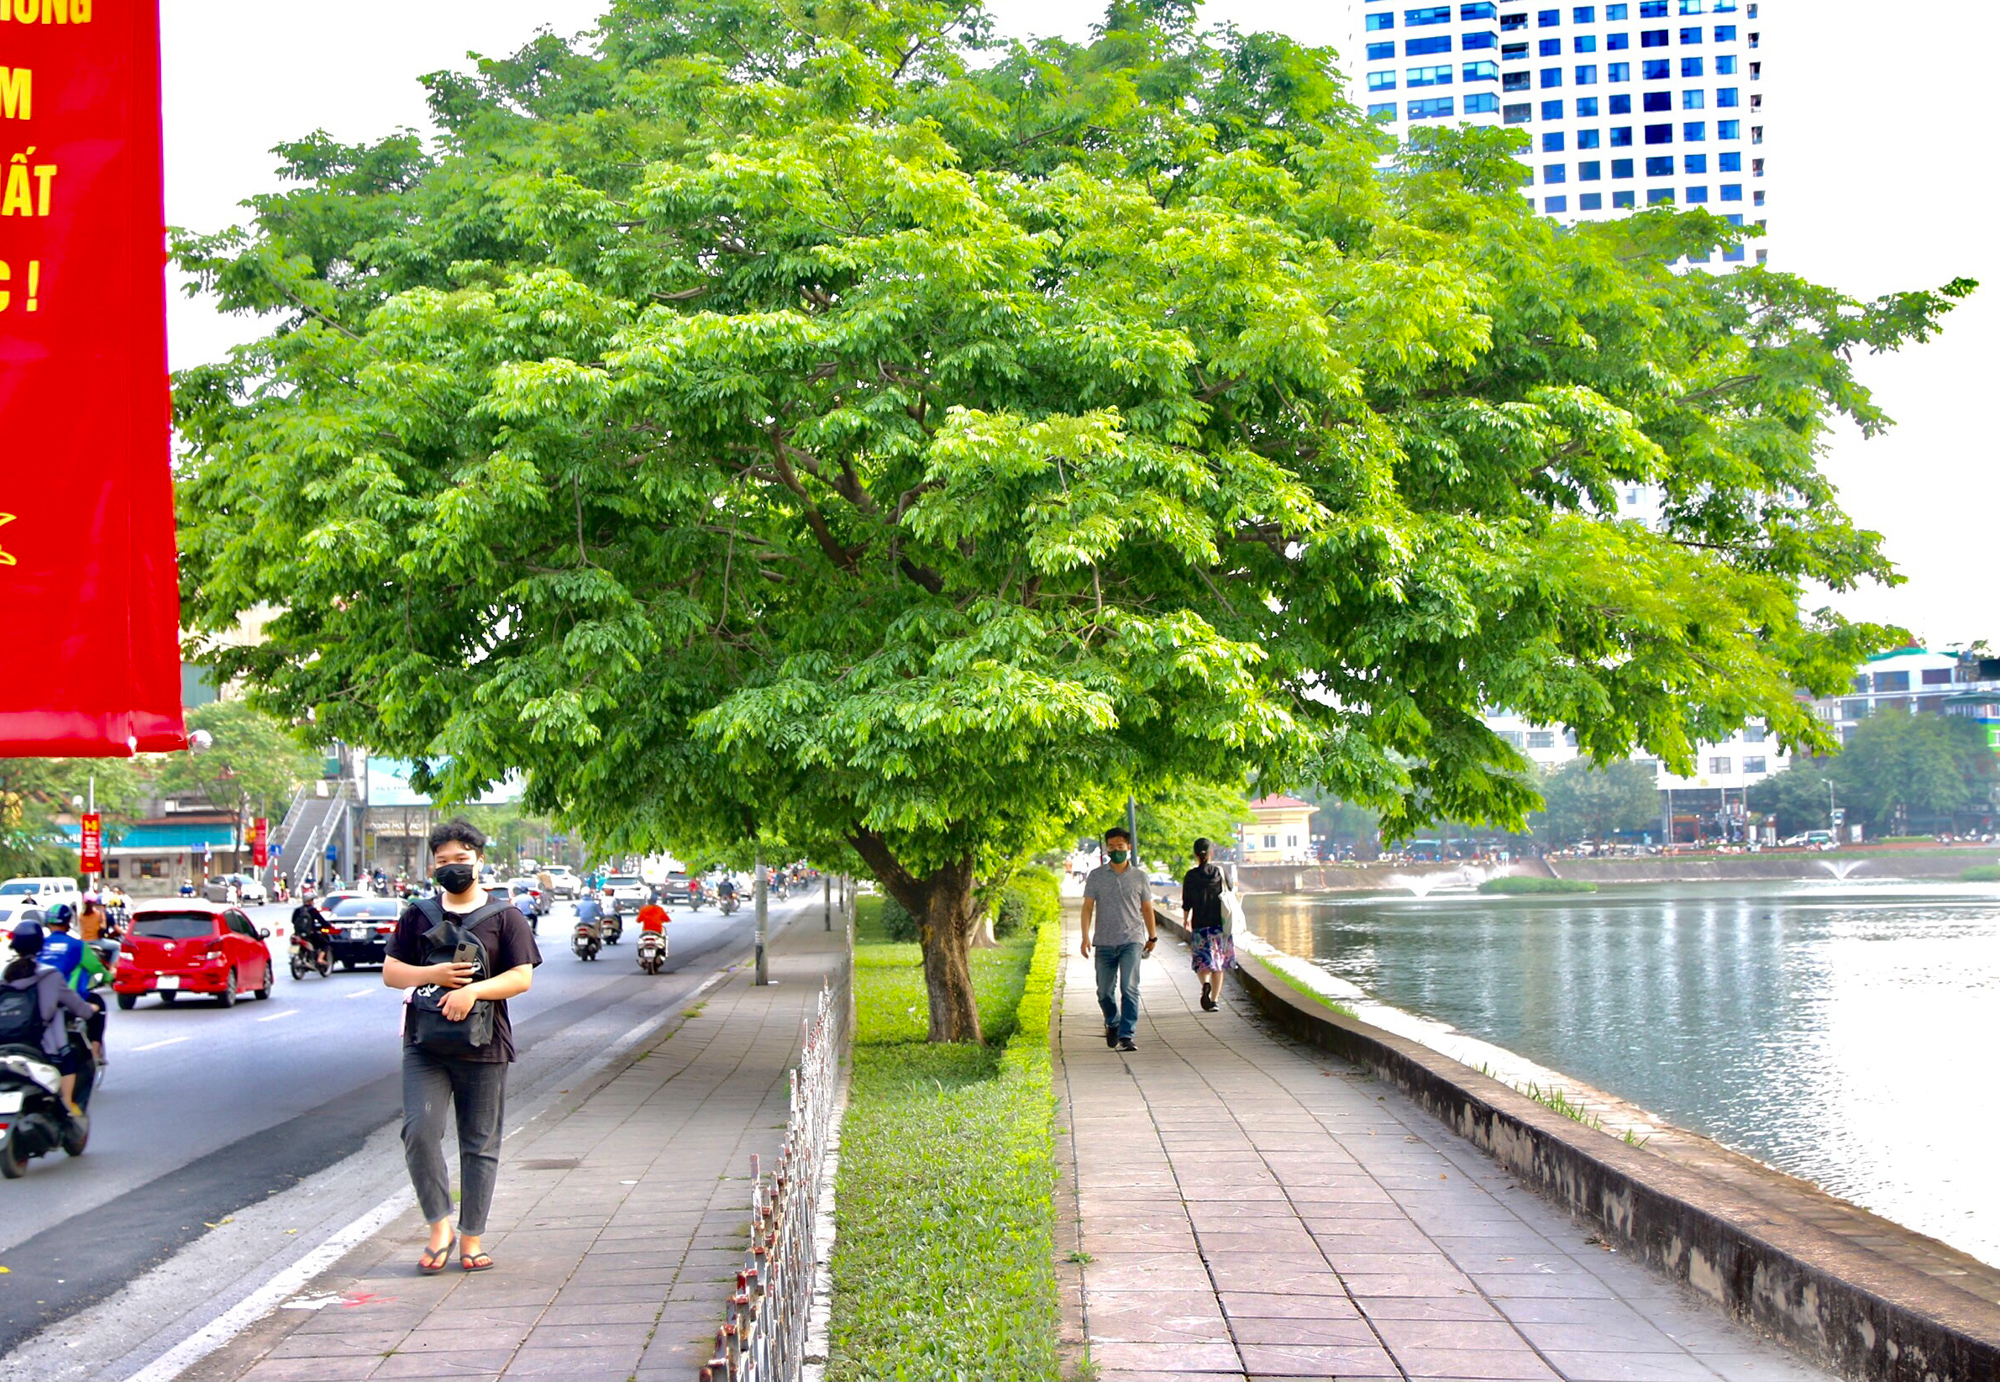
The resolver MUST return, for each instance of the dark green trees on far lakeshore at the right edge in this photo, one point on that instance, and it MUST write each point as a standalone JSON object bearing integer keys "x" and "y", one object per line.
{"x": 1899, "y": 769}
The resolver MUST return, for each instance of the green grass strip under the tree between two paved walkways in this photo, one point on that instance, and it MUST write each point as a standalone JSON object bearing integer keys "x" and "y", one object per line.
{"x": 947, "y": 1255}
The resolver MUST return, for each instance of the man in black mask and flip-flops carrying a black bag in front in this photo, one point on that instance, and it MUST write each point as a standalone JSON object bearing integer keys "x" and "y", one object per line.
{"x": 443, "y": 1061}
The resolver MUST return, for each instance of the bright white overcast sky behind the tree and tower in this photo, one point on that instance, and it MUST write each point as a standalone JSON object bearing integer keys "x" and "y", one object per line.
{"x": 1875, "y": 185}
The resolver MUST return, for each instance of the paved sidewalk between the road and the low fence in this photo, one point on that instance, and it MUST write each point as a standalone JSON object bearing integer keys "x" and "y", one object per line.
{"x": 617, "y": 1229}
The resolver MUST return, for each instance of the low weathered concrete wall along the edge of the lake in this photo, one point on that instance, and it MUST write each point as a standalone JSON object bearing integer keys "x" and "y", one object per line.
{"x": 1825, "y": 1297}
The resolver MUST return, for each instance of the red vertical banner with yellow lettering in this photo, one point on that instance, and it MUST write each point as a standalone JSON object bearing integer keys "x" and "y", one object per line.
{"x": 89, "y": 579}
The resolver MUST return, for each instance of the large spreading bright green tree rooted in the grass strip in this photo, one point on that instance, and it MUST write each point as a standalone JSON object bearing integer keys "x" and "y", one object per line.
{"x": 769, "y": 421}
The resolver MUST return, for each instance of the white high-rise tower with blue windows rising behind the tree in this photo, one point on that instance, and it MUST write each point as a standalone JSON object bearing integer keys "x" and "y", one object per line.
{"x": 1625, "y": 105}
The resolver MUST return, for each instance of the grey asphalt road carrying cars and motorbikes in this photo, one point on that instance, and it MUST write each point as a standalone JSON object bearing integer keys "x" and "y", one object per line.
{"x": 207, "y": 1111}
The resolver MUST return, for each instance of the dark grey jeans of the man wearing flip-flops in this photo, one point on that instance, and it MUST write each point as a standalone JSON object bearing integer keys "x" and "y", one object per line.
{"x": 477, "y": 1093}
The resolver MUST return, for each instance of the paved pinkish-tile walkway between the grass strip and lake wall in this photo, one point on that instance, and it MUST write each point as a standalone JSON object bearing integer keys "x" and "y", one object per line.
{"x": 1257, "y": 1209}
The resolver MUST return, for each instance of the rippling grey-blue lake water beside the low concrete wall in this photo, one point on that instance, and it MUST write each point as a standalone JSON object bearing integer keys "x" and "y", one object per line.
{"x": 1843, "y": 1033}
